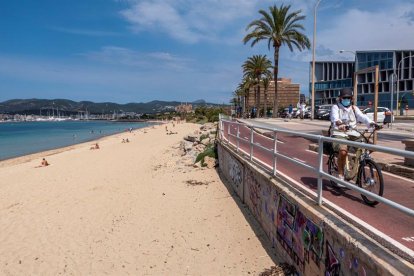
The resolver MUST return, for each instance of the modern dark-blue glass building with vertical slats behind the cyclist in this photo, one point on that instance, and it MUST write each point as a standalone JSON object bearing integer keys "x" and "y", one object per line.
{"x": 331, "y": 76}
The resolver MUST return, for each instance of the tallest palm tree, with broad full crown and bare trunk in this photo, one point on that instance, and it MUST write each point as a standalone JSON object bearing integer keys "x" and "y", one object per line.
{"x": 279, "y": 27}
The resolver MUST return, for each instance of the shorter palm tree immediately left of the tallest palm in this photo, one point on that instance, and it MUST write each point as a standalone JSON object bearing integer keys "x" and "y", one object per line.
{"x": 255, "y": 67}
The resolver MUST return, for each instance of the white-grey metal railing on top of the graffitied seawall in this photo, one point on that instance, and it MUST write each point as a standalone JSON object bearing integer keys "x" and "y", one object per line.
{"x": 321, "y": 174}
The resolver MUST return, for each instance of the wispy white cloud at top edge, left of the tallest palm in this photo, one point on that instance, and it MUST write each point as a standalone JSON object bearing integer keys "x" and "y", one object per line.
{"x": 189, "y": 21}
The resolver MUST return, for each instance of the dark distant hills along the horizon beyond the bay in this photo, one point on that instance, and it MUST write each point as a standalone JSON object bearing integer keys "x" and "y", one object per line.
{"x": 36, "y": 106}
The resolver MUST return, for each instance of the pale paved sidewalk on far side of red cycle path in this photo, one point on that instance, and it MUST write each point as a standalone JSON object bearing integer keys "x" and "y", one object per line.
{"x": 387, "y": 137}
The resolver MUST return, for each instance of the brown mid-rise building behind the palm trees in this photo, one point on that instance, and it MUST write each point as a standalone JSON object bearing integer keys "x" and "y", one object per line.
{"x": 288, "y": 93}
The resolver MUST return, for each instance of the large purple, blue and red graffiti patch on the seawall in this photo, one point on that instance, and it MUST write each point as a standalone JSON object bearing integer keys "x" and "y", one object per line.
{"x": 300, "y": 237}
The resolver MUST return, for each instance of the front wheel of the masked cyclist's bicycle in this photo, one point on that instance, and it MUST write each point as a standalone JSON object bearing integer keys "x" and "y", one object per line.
{"x": 370, "y": 179}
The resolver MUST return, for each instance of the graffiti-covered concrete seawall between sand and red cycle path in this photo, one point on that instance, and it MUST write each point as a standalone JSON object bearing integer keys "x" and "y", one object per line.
{"x": 312, "y": 238}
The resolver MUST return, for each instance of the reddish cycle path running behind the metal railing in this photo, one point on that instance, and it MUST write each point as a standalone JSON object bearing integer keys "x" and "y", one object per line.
{"x": 391, "y": 222}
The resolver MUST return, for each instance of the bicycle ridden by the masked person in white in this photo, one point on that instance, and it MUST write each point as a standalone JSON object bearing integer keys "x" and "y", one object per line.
{"x": 362, "y": 167}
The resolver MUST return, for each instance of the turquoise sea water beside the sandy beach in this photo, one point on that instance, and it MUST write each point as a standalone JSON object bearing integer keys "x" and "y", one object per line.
{"x": 22, "y": 138}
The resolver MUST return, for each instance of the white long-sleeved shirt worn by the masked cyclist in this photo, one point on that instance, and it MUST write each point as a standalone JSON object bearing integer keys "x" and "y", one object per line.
{"x": 349, "y": 116}
